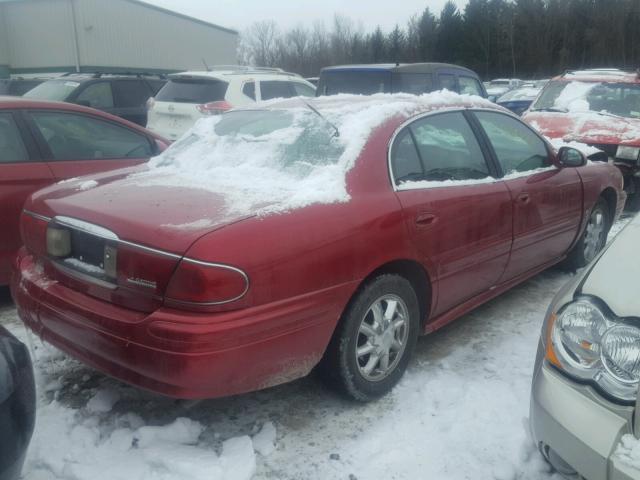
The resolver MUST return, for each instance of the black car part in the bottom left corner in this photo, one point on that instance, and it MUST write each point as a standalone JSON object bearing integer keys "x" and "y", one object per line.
{"x": 17, "y": 405}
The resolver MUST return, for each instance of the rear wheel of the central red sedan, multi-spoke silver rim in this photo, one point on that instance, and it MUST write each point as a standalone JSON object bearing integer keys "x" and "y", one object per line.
{"x": 374, "y": 340}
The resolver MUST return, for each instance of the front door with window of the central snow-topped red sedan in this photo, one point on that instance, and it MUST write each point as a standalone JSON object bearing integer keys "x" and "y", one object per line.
{"x": 547, "y": 200}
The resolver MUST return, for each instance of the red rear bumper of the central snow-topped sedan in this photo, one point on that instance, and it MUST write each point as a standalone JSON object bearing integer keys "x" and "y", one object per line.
{"x": 181, "y": 354}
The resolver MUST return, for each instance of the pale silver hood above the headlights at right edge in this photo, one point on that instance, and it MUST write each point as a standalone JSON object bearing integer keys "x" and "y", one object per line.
{"x": 613, "y": 278}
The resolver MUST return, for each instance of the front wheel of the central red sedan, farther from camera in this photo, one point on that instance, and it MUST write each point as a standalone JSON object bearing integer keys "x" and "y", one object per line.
{"x": 593, "y": 239}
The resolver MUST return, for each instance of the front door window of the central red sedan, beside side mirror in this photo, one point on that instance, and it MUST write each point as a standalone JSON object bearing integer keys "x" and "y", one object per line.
{"x": 518, "y": 149}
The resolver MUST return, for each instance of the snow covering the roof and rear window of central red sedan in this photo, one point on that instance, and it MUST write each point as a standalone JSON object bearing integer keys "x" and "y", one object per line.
{"x": 292, "y": 160}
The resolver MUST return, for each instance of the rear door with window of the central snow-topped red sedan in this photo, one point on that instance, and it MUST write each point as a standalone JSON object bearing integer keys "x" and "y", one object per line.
{"x": 456, "y": 212}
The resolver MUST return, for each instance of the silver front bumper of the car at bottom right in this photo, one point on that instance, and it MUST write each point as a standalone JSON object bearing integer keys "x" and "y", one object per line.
{"x": 568, "y": 421}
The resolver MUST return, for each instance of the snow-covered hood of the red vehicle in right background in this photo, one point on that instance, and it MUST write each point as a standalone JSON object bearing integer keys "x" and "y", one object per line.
{"x": 586, "y": 127}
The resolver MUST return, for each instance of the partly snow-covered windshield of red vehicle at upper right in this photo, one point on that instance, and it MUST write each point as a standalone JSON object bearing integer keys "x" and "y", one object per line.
{"x": 621, "y": 99}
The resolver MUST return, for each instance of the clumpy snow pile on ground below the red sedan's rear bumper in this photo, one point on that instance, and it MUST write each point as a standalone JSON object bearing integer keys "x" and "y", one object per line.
{"x": 75, "y": 447}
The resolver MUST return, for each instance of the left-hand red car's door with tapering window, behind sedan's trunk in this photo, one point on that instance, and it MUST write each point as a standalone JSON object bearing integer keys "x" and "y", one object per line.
{"x": 76, "y": 144}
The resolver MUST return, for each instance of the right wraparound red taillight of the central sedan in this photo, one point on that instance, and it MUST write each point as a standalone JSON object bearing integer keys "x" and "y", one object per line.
{"x": 204, "y": 283}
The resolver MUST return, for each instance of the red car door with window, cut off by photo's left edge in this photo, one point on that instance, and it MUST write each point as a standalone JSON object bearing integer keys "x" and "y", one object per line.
{"x": 21, "y": 173}
